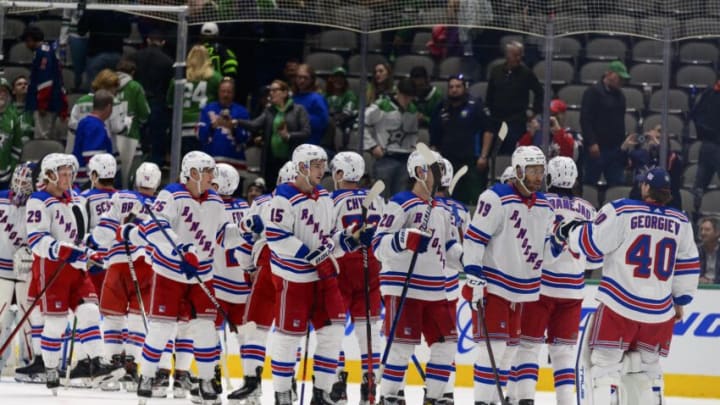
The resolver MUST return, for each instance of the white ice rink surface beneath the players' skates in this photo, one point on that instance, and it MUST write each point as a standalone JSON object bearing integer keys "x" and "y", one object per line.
{"x": 12, "y": 393}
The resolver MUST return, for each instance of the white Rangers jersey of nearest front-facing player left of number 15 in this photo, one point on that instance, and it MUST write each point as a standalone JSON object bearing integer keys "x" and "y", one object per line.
{"x": 187, "y": 221}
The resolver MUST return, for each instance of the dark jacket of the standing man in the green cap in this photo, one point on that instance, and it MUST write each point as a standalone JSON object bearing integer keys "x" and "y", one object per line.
{"x": 602, "y": 116}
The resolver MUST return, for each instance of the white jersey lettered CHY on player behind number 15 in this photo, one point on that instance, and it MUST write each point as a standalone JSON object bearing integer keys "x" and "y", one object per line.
{"x": 347, "y": 210}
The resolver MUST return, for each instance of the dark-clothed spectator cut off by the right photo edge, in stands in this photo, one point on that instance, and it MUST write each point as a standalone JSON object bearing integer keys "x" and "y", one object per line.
{"x": 706, "y": 114}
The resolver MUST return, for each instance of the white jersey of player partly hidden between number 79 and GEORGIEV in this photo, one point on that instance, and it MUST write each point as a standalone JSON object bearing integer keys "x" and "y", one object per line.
{"x": 565, "y": 276}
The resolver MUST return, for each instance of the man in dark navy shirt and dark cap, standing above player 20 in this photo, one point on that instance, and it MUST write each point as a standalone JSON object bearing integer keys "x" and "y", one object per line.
{"x": 460, "y": 131}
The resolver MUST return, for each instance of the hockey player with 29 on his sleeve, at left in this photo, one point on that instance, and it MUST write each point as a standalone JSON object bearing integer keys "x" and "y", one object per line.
{"x": 55, "y": 222}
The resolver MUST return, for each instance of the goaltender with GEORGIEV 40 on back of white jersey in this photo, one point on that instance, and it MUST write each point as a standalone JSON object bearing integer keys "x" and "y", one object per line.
{"x": 650, "y": 271}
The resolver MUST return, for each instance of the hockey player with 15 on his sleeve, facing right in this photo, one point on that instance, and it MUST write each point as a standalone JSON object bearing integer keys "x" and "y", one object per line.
{"x": 299, "y": 232}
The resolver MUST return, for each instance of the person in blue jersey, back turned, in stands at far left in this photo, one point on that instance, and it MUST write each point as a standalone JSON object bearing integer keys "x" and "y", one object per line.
{"x": 91, "y": 136}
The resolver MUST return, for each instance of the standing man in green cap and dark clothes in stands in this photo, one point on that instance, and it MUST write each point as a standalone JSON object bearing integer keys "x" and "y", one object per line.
{"x": 602, "y": 122}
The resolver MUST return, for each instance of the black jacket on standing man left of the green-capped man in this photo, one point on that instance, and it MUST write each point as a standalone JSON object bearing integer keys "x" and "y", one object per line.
{"x": 508, "y": 93}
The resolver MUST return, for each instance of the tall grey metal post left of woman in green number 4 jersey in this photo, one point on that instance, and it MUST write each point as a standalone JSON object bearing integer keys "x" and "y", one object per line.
{"x": 179, "y": 83}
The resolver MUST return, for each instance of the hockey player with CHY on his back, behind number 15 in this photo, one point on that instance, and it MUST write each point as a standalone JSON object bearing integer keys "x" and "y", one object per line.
{"x": 347, "y": 168}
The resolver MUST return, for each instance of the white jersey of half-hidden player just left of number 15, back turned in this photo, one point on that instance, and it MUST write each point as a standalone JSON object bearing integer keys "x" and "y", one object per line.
{"x": 229, "y": 264}
